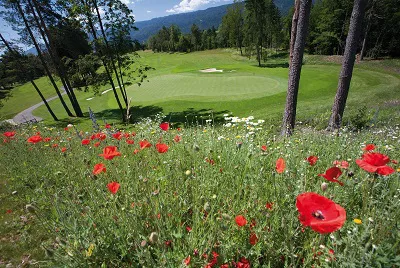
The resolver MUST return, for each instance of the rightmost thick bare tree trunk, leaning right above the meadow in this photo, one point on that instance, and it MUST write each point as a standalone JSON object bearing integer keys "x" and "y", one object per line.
{"x": 346, "y": 72}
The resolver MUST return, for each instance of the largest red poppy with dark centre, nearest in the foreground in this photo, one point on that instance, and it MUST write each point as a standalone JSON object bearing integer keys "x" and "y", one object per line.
{"x": 320, "y": 213}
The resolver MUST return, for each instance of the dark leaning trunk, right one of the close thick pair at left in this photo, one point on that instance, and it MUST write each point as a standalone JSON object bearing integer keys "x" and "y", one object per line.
{"x": 55, "y": 58}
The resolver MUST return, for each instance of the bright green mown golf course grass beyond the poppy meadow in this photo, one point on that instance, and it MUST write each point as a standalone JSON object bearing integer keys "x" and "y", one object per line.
{"x": 177, "y": 87}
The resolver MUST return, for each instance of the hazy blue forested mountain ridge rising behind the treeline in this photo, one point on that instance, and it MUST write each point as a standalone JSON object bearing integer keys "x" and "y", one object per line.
{"x": 203, "y": 18}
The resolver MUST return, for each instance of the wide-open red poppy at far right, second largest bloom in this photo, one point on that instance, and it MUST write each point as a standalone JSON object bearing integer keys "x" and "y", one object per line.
{"x": 375, "y": 163}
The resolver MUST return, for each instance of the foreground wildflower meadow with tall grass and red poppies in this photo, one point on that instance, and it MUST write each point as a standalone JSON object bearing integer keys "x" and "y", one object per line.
{"x": 231, "y": 195}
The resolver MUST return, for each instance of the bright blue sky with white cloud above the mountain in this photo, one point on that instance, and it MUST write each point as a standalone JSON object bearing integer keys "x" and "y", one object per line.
{"x": 146, "y": 10}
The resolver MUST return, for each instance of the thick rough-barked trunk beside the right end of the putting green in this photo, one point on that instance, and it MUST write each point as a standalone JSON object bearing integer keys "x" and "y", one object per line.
{"x": 289, "y": 116}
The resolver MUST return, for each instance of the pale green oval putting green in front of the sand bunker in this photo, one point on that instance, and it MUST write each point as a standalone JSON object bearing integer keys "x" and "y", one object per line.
{"x": 207, "y": 87}
